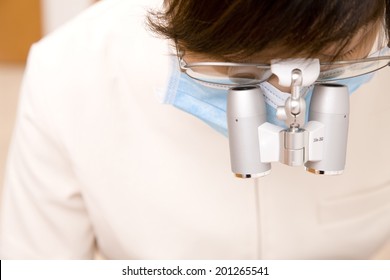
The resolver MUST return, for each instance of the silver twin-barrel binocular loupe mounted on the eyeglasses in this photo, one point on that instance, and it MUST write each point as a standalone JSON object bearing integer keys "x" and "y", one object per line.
{"x": 319, "y": 145}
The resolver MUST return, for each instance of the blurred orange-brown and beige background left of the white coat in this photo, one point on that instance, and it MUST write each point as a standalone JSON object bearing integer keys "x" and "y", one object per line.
{"x": 23, "y": 22}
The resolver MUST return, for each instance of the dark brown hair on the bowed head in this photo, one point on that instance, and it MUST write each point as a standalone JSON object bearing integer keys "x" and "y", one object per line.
{"x": 242, "y": 28}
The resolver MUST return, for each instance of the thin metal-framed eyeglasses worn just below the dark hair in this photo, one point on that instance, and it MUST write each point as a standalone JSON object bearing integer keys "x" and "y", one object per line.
{"x": 233, "y": 74}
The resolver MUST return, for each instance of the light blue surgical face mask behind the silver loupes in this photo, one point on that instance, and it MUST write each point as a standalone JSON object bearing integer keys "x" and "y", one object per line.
{"x": 208, "y": 102}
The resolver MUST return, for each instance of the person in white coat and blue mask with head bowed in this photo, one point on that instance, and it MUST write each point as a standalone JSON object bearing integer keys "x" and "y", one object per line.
{"x": 97, "y": 163}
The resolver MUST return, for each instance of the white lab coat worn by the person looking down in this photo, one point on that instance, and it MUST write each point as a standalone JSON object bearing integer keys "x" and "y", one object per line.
{"x": 96, "y": 160}
